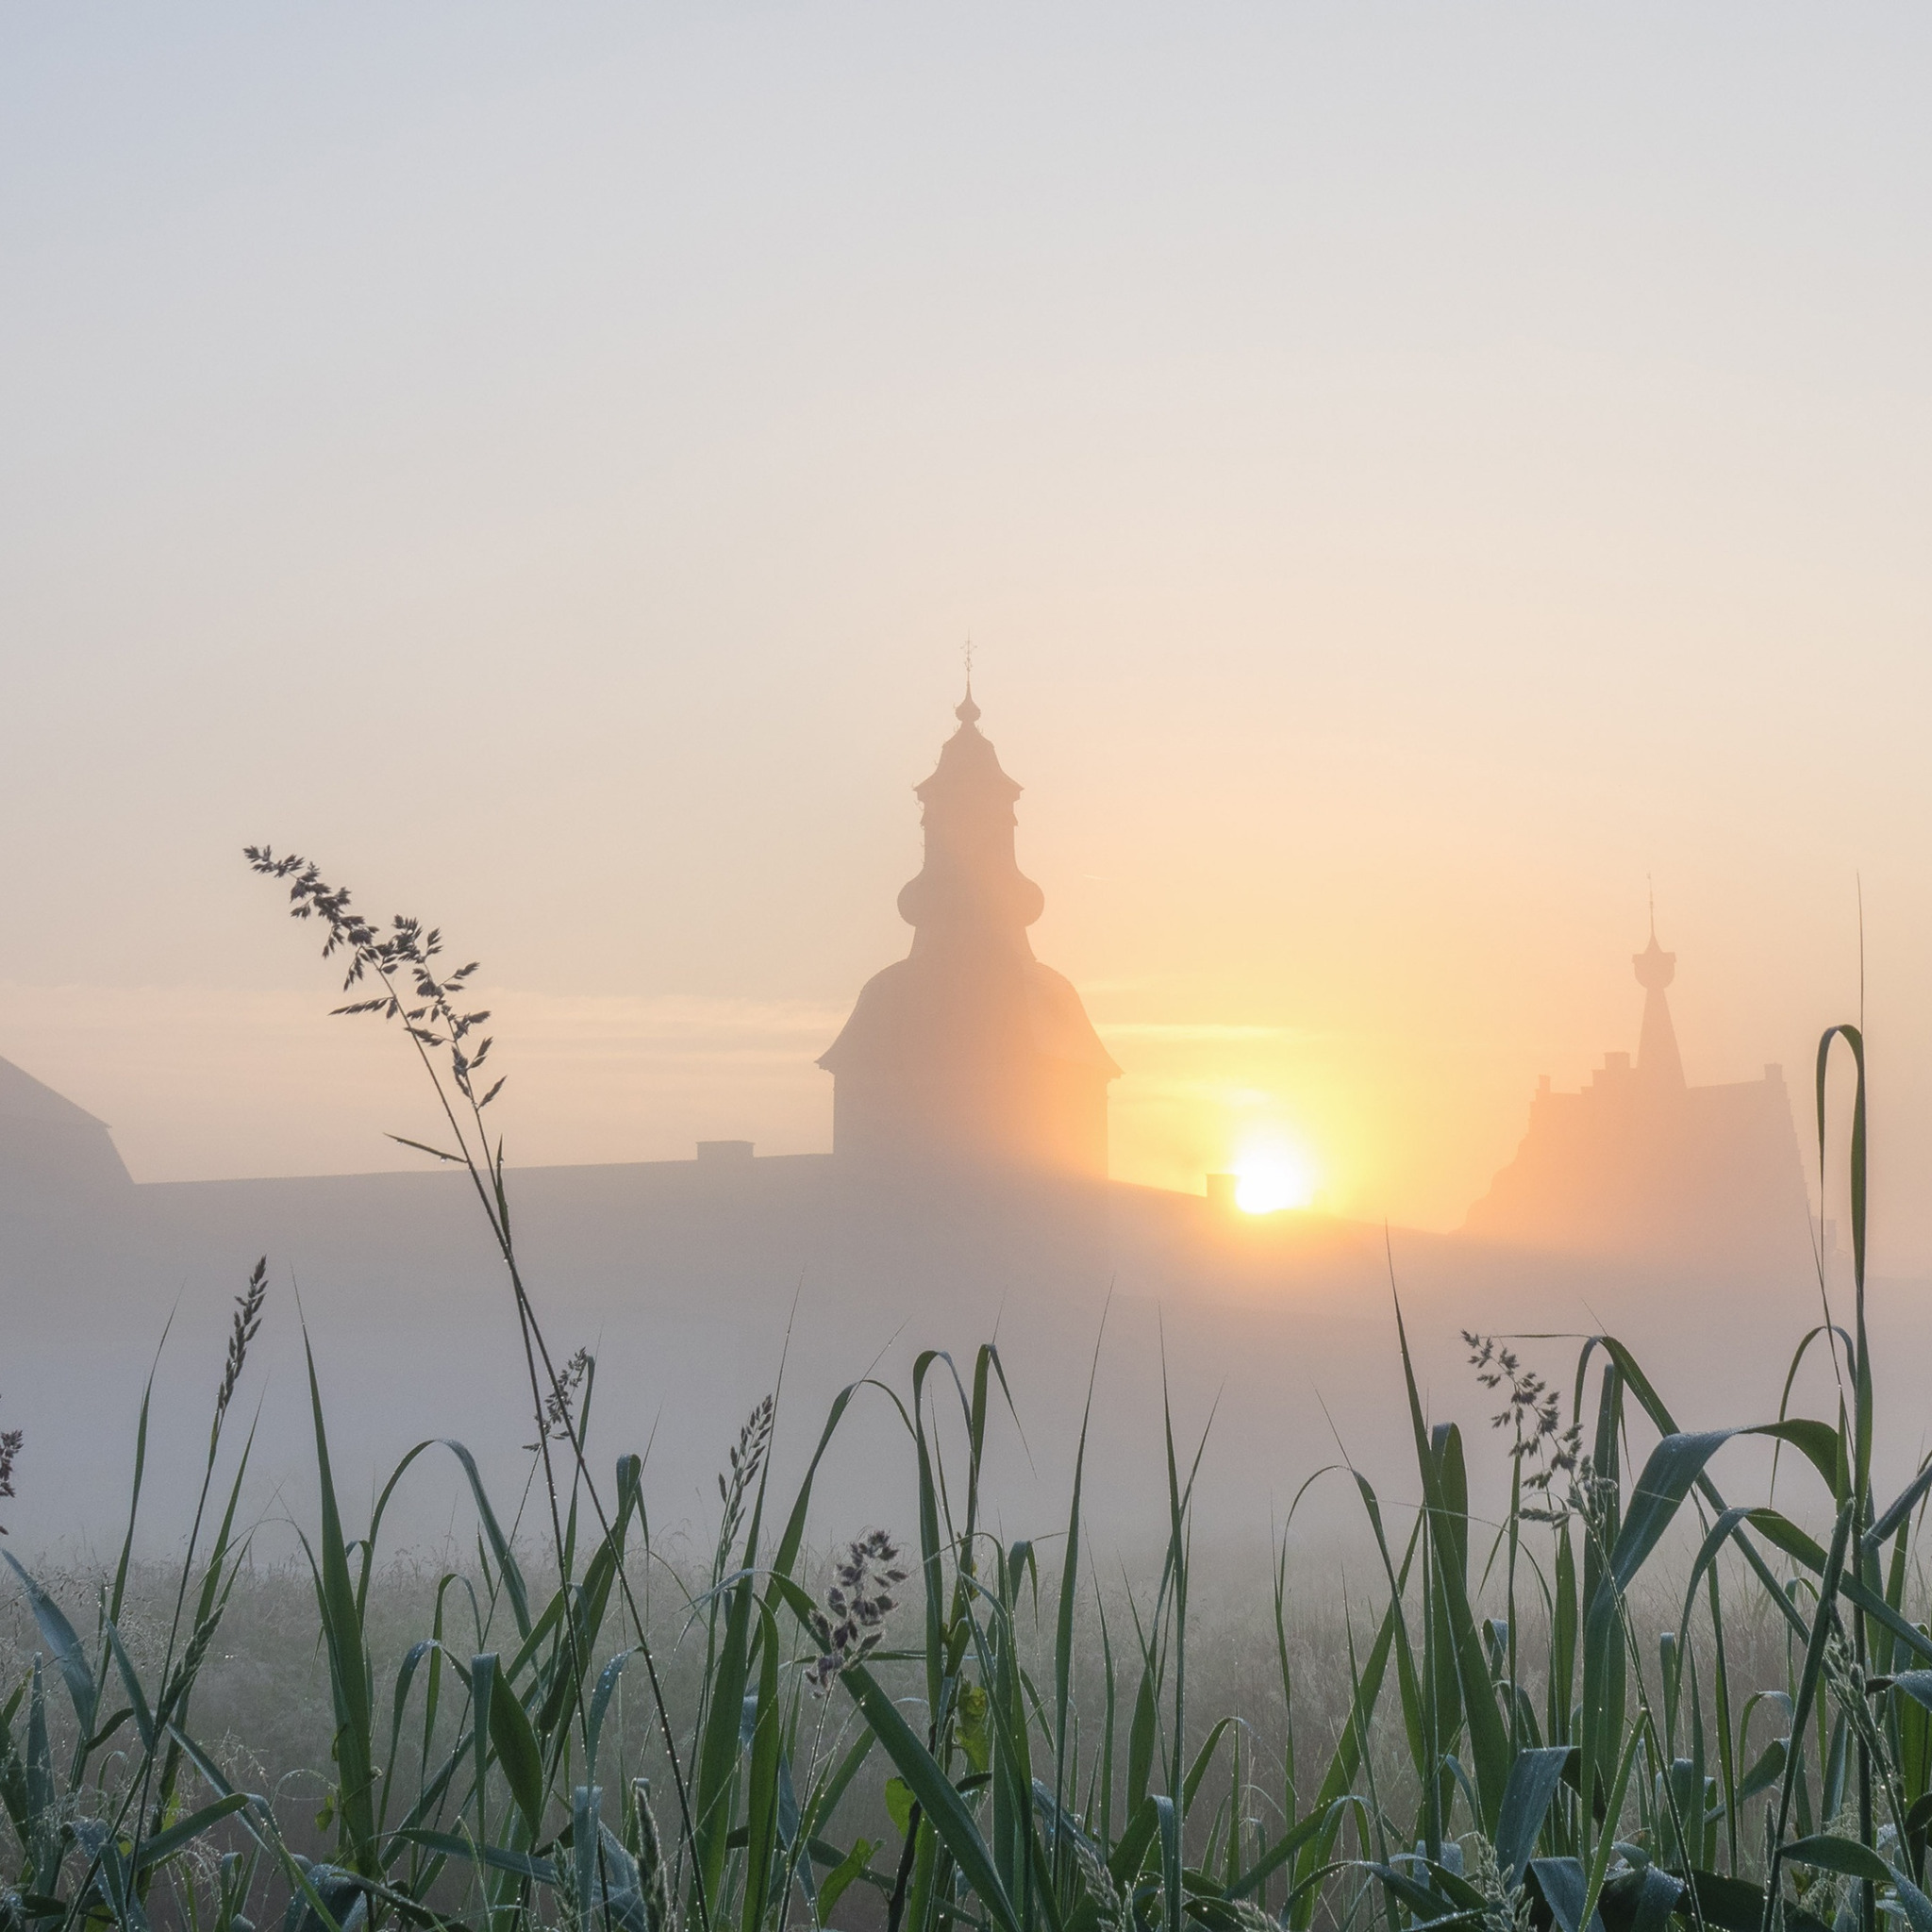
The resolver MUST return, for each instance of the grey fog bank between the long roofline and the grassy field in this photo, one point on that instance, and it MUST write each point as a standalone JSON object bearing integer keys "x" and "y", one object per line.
{"x": 1278, "y": 1346}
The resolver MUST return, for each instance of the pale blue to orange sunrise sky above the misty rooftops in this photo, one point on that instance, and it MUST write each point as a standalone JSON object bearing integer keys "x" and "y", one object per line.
{"x": 1415, "y": 478}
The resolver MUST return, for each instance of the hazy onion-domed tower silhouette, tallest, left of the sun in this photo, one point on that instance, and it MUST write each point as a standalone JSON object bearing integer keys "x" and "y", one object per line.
{"x": 969, "y": 1054}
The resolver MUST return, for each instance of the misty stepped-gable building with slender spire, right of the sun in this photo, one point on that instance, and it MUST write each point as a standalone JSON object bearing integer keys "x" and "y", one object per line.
{"x": 1645, "y": 1166}
